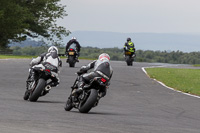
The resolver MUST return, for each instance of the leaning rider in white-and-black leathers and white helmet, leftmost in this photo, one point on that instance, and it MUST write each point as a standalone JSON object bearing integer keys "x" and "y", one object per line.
{"x": 50, "y": 57}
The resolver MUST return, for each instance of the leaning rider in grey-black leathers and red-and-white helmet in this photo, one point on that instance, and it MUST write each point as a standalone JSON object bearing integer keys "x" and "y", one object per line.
{"x": 98, "y": 68}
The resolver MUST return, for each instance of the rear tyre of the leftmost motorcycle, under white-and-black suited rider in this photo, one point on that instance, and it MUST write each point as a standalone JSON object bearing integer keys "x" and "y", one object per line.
{"x": 38, "y": 90}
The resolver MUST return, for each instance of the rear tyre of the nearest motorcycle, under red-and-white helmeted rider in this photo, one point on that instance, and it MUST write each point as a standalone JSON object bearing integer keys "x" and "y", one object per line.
{"x": 91, "y": 100}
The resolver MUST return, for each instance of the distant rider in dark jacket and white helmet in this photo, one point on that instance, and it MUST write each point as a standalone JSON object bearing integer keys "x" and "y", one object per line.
{"x": 73, "y": 43}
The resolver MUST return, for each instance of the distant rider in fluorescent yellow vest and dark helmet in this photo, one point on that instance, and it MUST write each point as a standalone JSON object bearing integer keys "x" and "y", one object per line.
{"x": 129, "y": 46}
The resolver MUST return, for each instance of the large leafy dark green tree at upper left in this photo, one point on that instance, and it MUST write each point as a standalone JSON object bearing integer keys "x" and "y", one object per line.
{"x": 33, "y": 18}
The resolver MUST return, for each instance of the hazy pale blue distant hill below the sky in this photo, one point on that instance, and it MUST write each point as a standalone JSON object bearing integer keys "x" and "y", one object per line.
{"x": 143, "y": 41}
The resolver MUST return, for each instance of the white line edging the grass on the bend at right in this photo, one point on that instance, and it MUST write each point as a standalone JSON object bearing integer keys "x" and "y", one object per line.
{"x": 143, "y": 68}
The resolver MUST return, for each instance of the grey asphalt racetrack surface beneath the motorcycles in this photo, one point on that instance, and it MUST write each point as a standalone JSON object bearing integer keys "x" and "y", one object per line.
{"x": 134, "y": 104}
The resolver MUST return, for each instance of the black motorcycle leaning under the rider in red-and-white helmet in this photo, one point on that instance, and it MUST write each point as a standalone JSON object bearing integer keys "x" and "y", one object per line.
{"x": 89, "y": 97}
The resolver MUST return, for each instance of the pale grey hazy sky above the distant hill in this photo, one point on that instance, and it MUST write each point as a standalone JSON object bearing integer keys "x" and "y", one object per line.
{"x": 130, "y": 16}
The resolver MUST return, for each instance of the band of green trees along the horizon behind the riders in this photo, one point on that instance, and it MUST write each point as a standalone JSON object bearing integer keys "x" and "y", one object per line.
{"x": 174, "y": 57}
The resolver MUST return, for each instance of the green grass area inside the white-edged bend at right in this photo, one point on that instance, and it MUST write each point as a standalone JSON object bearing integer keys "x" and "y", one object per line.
{"x": 185, "y": 80}
